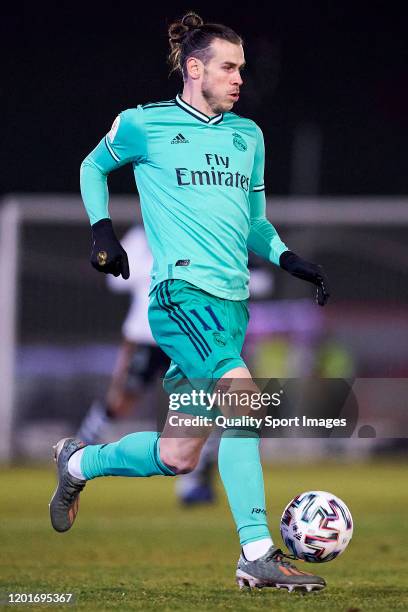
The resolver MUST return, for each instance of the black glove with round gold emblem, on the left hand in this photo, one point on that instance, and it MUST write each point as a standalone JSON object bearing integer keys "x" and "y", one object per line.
{"x": 107, "y": 253}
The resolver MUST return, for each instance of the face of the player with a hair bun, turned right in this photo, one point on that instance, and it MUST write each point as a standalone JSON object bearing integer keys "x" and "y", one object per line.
{"x": 222, "y": 75}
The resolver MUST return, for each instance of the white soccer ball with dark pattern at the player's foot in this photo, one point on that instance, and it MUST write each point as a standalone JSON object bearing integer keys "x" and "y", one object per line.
{"x": 316, "y": 526}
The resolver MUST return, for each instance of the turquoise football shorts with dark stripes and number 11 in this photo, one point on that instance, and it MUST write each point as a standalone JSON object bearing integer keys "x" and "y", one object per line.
{"x": 201, "y": 333}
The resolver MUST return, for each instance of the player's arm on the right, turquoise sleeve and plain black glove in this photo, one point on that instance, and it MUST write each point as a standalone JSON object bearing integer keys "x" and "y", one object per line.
{"x": 264, "y": 240}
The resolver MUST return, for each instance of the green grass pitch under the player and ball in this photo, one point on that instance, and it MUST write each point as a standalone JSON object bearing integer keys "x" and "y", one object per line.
{"x": 134, "y": 548}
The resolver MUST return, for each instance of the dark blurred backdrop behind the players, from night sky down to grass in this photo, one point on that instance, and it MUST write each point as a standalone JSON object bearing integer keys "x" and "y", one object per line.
{"x": 328, "y": 85}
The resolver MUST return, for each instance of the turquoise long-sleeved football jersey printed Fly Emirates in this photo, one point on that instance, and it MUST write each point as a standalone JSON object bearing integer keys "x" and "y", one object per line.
{"x": 201, "y": 187}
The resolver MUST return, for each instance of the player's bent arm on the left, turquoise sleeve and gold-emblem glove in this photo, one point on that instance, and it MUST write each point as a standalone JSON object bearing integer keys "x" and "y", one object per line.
{"x": 125, "y": 143}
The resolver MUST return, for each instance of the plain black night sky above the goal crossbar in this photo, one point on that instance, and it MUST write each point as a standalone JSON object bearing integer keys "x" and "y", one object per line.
{"x": 68, "y": 69}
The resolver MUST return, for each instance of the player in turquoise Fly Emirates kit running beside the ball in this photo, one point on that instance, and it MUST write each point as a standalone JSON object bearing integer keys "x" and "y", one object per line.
{"x": 199, "y": 171}
